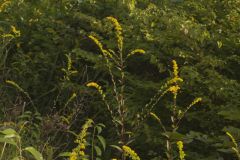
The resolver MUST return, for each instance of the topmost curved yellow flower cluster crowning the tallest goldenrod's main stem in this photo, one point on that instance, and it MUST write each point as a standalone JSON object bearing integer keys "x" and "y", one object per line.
{"x": 118, "y": 30}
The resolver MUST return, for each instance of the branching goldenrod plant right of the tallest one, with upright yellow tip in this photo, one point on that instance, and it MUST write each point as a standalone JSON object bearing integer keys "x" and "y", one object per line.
{"x": 172, "y": 86}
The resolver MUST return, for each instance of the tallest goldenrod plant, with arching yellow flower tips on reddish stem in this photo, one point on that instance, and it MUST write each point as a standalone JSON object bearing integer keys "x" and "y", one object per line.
{"x": 116, "y": 60}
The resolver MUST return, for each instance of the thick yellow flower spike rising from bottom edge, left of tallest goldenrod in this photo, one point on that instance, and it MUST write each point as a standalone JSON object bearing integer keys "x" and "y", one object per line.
{"x": 81, "y": 141}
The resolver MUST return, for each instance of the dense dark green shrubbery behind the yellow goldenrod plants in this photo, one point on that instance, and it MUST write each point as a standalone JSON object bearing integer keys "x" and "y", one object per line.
{"x": 202, "y": 36}
